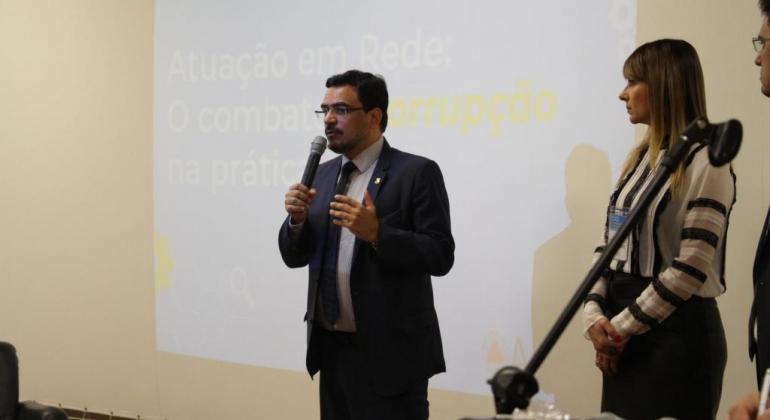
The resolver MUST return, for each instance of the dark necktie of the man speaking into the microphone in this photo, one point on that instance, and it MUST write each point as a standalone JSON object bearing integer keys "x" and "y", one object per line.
{"x": 329, "y": 270}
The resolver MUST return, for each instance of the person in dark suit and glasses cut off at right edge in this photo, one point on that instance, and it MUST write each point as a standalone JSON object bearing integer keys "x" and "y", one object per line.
{"x": 759, "y": 319}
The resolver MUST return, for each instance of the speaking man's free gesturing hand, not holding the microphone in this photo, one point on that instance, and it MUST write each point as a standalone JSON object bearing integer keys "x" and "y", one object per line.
{"x": 359, "y": 218}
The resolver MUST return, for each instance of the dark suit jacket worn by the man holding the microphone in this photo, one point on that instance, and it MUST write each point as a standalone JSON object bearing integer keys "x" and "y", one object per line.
{"x": 396, "y": 321}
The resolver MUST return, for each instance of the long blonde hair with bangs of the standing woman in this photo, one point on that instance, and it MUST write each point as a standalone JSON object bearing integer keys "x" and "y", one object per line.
{"x": 675, "y": 89}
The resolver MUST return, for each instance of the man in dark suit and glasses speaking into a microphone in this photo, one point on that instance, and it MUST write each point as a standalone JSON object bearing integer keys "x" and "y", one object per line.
{"x": 373, "y": 229}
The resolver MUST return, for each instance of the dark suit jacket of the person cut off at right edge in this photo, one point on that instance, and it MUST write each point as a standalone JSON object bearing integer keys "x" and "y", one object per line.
{"x": 760, "y": 307}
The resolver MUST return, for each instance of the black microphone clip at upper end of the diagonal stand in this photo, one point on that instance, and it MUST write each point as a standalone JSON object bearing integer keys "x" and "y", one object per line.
{"x": 723, "y": 139}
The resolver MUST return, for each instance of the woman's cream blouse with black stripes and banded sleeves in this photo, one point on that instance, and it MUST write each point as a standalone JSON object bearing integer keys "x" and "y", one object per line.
{"x": 679, "y": 243}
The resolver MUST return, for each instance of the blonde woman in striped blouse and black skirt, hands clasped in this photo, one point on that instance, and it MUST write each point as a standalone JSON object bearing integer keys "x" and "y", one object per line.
{"x": 652, "y": 317}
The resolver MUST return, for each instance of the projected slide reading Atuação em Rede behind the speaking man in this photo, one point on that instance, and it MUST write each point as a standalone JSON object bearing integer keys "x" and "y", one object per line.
{"x": 498, "y": 93}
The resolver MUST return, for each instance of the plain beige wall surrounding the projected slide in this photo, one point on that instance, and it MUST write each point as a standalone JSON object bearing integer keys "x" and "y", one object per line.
{"x": 76, "y": 288}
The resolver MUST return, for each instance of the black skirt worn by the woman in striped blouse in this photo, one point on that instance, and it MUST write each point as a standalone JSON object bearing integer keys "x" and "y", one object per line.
{"x": 675, "y": 369}
